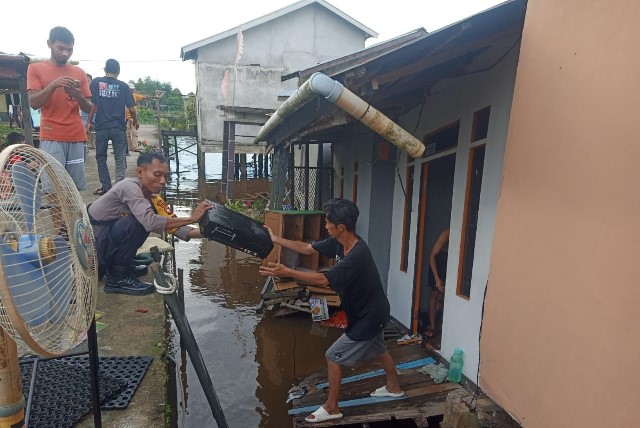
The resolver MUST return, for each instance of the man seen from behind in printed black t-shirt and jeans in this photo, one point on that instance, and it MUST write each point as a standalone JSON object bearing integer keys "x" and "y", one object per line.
{"x": 110, "y": 96}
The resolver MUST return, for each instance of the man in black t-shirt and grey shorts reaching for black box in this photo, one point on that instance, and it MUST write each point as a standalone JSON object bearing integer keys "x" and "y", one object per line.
{"x": 356, "y": 279}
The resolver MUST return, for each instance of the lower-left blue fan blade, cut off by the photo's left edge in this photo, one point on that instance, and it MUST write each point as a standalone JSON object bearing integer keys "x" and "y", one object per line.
{"x": 26, "y": 285}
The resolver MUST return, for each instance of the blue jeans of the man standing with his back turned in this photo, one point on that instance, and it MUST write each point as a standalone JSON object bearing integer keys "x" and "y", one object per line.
{"x": 118, "y": 137}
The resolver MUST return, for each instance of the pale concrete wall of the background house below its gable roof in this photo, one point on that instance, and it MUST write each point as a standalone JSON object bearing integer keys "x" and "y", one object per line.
{"x": 295, "y": 41}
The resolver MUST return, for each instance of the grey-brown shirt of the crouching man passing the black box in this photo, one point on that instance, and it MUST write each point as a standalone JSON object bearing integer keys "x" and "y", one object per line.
{"x": 126, "y": 198}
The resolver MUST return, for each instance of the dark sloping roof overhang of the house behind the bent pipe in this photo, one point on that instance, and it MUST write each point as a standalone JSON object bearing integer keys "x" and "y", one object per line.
{"x": 397, "y": 79}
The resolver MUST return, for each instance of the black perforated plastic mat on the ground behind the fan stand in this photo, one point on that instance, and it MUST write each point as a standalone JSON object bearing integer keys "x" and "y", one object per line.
{"x": 62, "y": 393}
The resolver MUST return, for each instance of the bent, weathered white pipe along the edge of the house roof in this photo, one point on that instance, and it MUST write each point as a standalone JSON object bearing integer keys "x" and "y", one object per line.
{"x": 334, "y": 92}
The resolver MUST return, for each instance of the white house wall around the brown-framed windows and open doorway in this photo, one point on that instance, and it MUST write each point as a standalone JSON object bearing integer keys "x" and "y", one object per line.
{"x": 455, "y": 100}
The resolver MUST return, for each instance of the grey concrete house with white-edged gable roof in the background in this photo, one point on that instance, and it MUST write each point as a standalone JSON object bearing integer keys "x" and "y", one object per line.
{"x": 238, "y": 72}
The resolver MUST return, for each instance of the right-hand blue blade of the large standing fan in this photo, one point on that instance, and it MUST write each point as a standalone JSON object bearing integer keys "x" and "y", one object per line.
{"x": 59, "y": 278}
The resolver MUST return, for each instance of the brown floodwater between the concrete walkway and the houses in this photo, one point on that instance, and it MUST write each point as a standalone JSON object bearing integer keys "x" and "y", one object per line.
{"x": 253, "y": 359}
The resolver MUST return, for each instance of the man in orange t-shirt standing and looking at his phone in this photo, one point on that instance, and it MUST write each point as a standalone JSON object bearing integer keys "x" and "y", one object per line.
{"x": 60, "y": 90}
